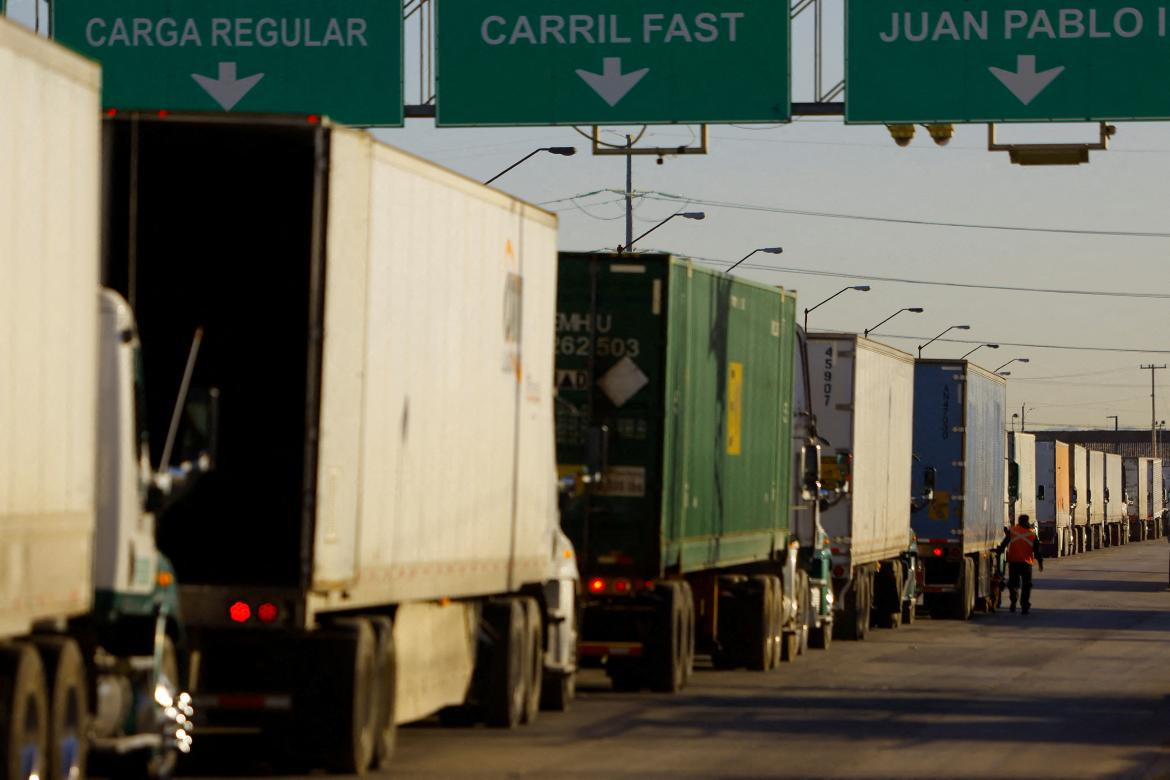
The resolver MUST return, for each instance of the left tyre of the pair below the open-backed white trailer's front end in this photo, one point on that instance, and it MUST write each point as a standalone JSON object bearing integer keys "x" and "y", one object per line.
{"x": 507, "y": 693}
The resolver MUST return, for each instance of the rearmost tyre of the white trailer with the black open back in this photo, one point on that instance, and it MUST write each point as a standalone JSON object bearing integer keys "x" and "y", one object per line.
{"x": 350, "y": 698}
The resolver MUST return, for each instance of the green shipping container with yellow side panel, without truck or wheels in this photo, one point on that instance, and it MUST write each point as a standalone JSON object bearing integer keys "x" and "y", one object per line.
{"x": 692, "y": 372}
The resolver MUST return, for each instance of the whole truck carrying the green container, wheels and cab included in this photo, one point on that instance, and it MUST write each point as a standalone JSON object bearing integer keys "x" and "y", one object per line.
{"x": 676, "y": 385}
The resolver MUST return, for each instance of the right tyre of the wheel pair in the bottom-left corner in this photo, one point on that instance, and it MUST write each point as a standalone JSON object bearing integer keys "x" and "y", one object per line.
{"x": 68, "y": 707}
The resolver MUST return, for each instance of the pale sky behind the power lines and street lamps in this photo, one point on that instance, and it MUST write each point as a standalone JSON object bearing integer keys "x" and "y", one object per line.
{"x": 825, "y": 167}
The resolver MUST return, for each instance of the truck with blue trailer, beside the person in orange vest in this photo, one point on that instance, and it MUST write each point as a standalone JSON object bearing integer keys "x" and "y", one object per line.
{"x": 959, "y": 446}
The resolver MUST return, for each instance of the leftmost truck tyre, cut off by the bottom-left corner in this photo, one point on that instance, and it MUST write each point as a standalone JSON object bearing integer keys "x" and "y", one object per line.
{"x": 24, "y": 714}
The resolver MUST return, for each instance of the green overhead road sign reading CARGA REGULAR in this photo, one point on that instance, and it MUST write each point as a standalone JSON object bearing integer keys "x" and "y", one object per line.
{"x": 340, "y": 58}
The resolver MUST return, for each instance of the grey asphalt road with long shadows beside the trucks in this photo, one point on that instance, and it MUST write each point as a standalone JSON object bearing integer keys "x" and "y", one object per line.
{"x": 1080, "y": 688}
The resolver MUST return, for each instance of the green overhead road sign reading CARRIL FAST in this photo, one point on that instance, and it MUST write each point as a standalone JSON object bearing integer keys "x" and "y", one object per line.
{"x": 533, "y": 63}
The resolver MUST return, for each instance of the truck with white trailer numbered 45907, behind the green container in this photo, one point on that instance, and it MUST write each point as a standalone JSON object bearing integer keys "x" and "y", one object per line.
{"x": 864, "y": 403}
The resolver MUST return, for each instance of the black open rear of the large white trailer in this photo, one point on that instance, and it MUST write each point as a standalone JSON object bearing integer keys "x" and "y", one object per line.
{"x": 212, "y": 224}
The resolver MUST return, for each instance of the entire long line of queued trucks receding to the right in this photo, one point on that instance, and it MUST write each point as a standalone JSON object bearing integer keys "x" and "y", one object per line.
{"x": 304, "y": 438}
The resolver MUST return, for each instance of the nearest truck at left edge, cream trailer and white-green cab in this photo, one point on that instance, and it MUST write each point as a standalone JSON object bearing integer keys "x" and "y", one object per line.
{"x": 92, "y": 641}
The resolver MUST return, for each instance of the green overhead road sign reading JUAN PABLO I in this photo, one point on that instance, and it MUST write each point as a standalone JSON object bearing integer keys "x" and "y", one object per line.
{"x": 988, "y": 61}
